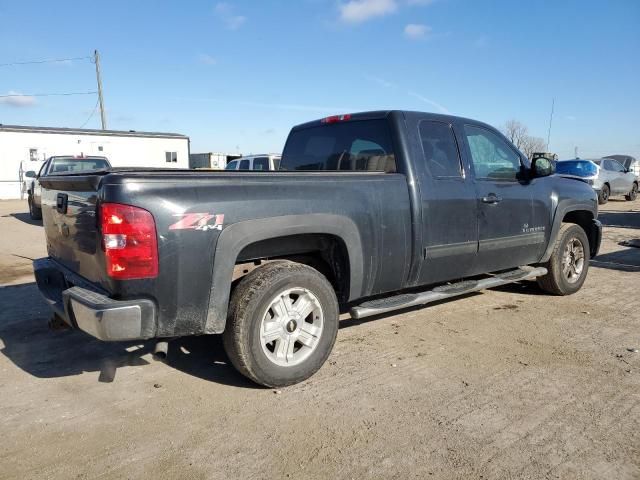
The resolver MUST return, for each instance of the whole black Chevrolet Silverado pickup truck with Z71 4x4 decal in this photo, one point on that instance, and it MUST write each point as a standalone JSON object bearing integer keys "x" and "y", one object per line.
{"x": 369, "y": 213}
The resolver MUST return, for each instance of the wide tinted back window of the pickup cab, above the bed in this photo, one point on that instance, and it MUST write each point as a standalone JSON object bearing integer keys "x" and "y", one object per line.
{"x": 356, "y": 145}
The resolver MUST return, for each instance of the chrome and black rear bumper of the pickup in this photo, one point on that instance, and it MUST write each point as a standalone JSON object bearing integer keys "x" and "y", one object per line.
{"x": 83, "y": 306}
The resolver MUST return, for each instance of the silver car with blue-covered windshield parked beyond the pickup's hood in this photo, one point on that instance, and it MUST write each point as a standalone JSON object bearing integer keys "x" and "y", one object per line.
{"x": 607, "y": 176}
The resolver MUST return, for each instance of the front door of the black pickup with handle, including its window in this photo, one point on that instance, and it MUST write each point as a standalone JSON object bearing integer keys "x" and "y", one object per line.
{"x": 511, "y": 231}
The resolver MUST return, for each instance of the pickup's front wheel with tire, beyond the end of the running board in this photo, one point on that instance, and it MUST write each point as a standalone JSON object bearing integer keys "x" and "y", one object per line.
{"x": 567, "y": 278}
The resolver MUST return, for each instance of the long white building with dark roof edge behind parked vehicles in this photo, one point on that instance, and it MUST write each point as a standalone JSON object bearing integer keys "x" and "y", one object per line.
{"x": 26, "y": 148}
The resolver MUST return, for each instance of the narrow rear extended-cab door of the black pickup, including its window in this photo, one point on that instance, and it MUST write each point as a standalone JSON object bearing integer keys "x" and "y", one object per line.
{"x": 448, "y": 200}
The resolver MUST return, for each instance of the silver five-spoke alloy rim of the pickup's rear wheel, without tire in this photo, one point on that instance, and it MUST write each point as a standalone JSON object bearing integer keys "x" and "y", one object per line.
{"x": 291, "y": 327}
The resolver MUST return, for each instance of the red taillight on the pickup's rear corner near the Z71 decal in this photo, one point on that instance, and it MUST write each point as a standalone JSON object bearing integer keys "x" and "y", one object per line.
{"x": 129, "y": 241}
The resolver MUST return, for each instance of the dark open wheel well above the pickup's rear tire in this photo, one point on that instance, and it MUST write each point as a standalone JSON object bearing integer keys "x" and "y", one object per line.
{"x": 326, "y": 253}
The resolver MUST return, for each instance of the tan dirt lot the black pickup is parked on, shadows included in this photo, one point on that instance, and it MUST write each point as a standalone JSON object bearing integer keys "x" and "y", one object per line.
{"x": 507, "y": 383}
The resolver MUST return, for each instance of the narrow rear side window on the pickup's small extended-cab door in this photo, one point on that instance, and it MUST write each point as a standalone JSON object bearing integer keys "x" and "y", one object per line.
{"x": 440, "y": 149}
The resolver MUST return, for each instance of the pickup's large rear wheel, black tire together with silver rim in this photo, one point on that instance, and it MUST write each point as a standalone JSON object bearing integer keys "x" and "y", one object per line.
{"x": 257, "y": 314}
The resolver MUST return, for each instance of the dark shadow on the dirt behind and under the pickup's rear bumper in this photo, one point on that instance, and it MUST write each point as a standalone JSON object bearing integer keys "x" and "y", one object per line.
{"x": 26, "y": 340}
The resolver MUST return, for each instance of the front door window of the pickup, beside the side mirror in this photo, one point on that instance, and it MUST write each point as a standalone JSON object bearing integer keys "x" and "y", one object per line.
{"x": 492, "y": 157}
